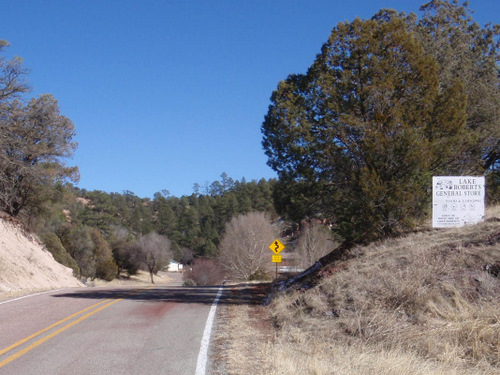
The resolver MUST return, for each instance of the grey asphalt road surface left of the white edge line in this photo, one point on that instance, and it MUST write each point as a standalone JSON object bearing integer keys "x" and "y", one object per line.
{"x": 147, "y": 330}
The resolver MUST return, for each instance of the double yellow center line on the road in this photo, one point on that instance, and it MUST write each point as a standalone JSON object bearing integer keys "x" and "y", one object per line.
{"x": 97, "y": 306}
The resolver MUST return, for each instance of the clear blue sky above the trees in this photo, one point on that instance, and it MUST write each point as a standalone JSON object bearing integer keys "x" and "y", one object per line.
{"x": 165, "y": 94}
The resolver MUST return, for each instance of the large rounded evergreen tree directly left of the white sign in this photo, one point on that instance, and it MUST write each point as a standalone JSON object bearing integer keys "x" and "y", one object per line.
{"x": 361, "y": 133}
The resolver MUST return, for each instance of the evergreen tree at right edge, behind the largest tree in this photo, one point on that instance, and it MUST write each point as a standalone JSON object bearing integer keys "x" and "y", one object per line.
{"x": 466, "y": 51}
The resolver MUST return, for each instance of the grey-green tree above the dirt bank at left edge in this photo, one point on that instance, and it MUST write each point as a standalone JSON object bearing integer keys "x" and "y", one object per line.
{"x": 34, "y": 140}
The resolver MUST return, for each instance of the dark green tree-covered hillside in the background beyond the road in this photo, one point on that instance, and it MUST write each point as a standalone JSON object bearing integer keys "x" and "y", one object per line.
{"x": 107, "y": 234}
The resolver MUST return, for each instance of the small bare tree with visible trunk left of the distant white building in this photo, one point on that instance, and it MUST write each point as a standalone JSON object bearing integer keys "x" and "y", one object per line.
{"x": 155, "y": 253}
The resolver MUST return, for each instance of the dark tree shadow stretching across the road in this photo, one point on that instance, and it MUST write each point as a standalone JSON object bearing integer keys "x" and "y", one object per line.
{"x": 241, "y": 294}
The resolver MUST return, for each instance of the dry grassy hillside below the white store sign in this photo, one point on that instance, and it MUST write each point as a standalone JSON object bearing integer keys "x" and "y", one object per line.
{"x": 427, "y": 303}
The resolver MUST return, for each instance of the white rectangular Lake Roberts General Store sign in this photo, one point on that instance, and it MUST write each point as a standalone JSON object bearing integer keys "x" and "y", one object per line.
{"x": 457, "y": 200}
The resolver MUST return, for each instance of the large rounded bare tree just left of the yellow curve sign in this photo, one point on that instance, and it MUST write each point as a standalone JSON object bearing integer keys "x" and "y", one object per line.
{"x": 244, "y": 248}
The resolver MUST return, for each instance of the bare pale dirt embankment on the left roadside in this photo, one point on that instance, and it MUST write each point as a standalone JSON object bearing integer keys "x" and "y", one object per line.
{"x": 26, "y": 266}
